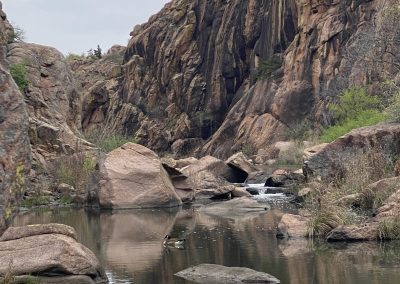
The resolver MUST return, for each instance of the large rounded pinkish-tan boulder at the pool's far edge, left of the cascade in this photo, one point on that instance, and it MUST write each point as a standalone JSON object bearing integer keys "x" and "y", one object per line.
{"x": 133, "y": 176}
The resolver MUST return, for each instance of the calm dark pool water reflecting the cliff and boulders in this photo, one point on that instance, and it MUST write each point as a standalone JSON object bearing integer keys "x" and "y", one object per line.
{"x": 129, "y": 245}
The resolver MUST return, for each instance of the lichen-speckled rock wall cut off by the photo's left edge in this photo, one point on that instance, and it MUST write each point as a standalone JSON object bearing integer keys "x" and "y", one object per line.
{"x": 15, "y": 157}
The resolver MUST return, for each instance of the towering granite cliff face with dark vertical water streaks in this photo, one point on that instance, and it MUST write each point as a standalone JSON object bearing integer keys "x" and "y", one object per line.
{"x": 222, "y": 75}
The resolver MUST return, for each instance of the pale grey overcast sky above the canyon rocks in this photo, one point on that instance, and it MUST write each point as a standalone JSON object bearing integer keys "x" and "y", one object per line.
{"x": 78, "y": 25}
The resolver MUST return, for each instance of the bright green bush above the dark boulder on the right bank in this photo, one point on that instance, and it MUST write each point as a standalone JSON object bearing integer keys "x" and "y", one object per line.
{"x": 364, "y": 118}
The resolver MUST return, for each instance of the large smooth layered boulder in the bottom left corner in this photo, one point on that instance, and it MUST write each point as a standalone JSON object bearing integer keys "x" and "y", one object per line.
{"x": 48, "y": 250}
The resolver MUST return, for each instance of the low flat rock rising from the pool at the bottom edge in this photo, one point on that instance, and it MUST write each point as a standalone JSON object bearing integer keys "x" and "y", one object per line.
{"x": 218, "y": 274}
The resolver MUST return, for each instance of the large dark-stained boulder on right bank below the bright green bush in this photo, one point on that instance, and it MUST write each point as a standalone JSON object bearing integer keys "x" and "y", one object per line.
{"x": 330, "y": 161}
